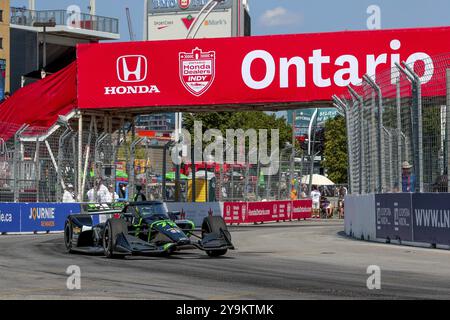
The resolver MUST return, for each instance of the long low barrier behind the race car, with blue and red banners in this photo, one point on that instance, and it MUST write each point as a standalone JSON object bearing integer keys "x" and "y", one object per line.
{"x": 50, "y": 217}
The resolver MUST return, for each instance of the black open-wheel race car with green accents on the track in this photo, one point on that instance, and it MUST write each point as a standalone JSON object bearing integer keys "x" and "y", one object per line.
{"x": 143, "y": 228}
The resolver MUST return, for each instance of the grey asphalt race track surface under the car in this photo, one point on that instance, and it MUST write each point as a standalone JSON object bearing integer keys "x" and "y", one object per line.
{"x": 297, "y": 260}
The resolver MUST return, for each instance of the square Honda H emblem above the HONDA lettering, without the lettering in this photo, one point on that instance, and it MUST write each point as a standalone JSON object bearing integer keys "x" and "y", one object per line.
{"x": 132, "y": 68}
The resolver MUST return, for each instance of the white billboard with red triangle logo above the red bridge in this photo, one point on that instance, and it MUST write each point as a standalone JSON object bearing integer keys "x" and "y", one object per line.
{"x": 218, "y": 24}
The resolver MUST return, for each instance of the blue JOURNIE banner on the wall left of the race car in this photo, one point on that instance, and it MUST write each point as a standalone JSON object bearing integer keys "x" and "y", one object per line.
{"x": 46, "y": 216}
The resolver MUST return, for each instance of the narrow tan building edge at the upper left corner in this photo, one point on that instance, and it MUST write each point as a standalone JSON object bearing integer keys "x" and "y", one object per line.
{"x": 4, "y": 47}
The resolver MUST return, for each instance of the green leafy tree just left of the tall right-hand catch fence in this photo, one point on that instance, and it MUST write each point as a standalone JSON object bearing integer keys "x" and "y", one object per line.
{"x": 335, "y": 151}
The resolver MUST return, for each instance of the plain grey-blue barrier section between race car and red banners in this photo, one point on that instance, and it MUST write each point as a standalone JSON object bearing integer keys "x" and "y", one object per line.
{"x": 197, "y": 211}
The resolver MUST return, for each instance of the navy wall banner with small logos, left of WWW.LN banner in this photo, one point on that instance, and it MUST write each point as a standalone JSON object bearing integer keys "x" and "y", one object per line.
{"x": 394, "y": 216}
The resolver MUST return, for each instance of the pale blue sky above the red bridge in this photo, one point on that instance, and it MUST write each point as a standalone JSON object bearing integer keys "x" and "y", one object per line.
{"x": 289, "y": 16}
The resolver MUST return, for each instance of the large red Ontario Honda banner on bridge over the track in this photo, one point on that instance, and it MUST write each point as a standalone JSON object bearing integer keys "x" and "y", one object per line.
{"x": 248, "y": 70}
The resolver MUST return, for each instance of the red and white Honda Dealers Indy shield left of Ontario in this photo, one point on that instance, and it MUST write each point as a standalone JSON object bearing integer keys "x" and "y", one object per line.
{"x": 197, "y": 70}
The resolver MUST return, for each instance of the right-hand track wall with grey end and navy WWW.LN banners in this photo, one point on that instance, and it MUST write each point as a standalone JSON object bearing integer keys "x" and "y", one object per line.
{"x": 417, "y": 219}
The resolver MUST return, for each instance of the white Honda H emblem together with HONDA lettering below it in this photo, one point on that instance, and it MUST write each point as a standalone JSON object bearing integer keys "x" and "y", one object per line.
{"x": 132, "y": 69}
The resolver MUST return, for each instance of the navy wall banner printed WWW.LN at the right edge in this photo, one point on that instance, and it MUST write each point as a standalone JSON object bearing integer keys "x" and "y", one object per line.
{"x": 431, "y": 216}
